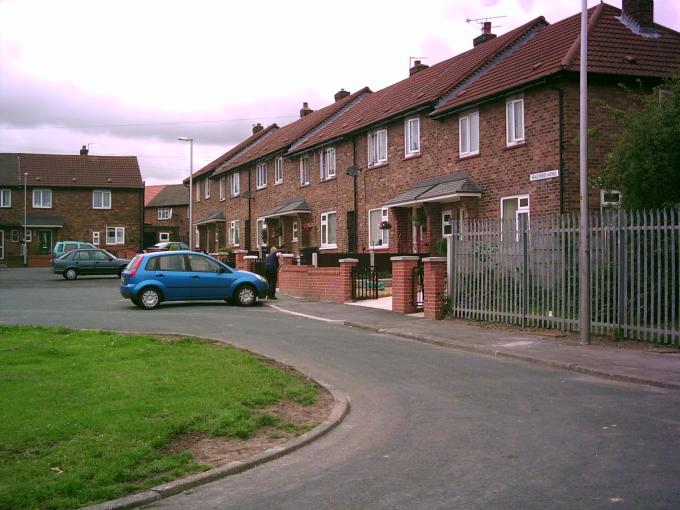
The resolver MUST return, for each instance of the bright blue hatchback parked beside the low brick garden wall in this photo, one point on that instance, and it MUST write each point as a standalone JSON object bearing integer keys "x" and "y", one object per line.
{"x": 151, "y": 278}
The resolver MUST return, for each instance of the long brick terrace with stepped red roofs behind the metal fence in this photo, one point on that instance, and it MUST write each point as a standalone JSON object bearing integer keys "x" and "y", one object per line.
{"x": 489, "y": 133}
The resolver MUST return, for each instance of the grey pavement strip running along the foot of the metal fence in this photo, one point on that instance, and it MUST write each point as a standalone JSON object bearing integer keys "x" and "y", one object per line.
{"x": 622, "y": 361}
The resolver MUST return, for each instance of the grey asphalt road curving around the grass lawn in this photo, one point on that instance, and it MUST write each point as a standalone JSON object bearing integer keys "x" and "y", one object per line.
{"x": 430, "y": 428}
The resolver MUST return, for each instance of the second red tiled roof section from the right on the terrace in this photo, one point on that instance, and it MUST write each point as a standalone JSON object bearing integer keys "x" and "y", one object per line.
{"x": 419, "y": 89}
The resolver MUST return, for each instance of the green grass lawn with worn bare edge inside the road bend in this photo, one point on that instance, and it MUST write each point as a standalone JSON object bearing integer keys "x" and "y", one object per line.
{"x": 87, "y": 416}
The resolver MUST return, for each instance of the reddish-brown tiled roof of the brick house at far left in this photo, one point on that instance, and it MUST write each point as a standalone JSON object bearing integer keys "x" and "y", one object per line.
{"x": 81, "y": 171}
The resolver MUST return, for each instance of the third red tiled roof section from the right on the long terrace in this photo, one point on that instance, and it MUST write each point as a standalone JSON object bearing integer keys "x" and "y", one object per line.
{"x": 286, "y": 135}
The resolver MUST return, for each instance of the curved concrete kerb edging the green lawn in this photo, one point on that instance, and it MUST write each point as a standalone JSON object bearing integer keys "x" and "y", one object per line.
{"x": 340, "y": 410}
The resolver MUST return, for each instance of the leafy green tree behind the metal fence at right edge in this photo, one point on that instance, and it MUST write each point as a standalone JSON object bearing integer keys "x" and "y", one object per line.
{"x": 645, "y": 162}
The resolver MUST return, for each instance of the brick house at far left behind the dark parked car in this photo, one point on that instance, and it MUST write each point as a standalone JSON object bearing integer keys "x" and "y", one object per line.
{"x": 98, "y": 199}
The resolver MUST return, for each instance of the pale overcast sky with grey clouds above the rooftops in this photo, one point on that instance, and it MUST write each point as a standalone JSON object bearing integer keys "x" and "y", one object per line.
{"x": 130, "y": 76}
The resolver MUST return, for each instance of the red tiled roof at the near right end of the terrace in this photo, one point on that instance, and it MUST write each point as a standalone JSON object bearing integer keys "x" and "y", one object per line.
{"x": 612, "y": 49}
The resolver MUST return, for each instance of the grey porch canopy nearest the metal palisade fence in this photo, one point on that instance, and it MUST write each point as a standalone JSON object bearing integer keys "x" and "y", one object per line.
{"x": 444, "y": 188}
